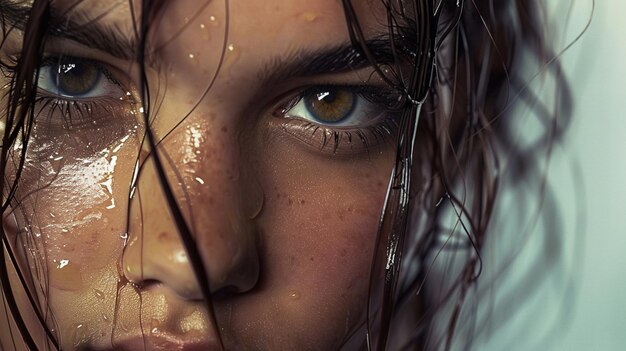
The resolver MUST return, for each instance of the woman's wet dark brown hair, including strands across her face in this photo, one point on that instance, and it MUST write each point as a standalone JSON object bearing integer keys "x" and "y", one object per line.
{"x": 458, "y": 66}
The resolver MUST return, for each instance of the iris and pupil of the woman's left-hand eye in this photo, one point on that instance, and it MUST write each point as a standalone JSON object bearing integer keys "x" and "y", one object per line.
{"x": 75, "y": 78}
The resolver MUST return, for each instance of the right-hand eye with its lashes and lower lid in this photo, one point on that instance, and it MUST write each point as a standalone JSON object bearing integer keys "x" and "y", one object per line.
{"x": 342, "y": 119}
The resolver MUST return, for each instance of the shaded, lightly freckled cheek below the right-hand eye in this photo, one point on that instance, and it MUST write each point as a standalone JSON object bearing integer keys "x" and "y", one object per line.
{"x": 319, "y": 226}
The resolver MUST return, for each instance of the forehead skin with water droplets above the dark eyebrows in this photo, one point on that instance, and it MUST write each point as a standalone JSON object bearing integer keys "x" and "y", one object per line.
{"x": 276, "y": 26}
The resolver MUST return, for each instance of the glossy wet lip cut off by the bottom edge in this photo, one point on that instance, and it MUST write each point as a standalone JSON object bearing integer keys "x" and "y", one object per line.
{"x": 164, "y": 342}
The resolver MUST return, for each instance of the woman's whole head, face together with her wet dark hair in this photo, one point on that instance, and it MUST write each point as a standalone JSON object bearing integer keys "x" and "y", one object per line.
{"x": 219, "y": 175}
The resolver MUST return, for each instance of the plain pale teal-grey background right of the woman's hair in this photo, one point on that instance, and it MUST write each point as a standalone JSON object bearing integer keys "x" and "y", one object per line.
{"x": 582, "y": 306}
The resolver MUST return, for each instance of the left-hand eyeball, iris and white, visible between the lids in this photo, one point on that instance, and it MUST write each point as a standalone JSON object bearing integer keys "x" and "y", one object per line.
{"x": 72, "y": 77}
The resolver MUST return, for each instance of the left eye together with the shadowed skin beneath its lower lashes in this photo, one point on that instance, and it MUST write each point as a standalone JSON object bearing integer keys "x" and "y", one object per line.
{"x": 83, "y": 104}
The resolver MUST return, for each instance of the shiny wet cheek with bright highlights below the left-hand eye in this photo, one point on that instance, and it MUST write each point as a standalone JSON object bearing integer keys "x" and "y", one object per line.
{"x": 71, "y": 220}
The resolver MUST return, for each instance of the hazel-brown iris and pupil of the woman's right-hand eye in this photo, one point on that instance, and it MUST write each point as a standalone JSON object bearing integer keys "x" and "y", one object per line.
{"x": 330, "y": 105}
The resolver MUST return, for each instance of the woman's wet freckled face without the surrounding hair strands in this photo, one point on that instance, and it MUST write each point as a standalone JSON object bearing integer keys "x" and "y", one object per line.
{"x": 277, "y": 143}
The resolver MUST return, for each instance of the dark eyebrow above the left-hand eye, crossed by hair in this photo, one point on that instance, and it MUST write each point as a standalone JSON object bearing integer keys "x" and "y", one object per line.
{"x": 108, "y": 37}
